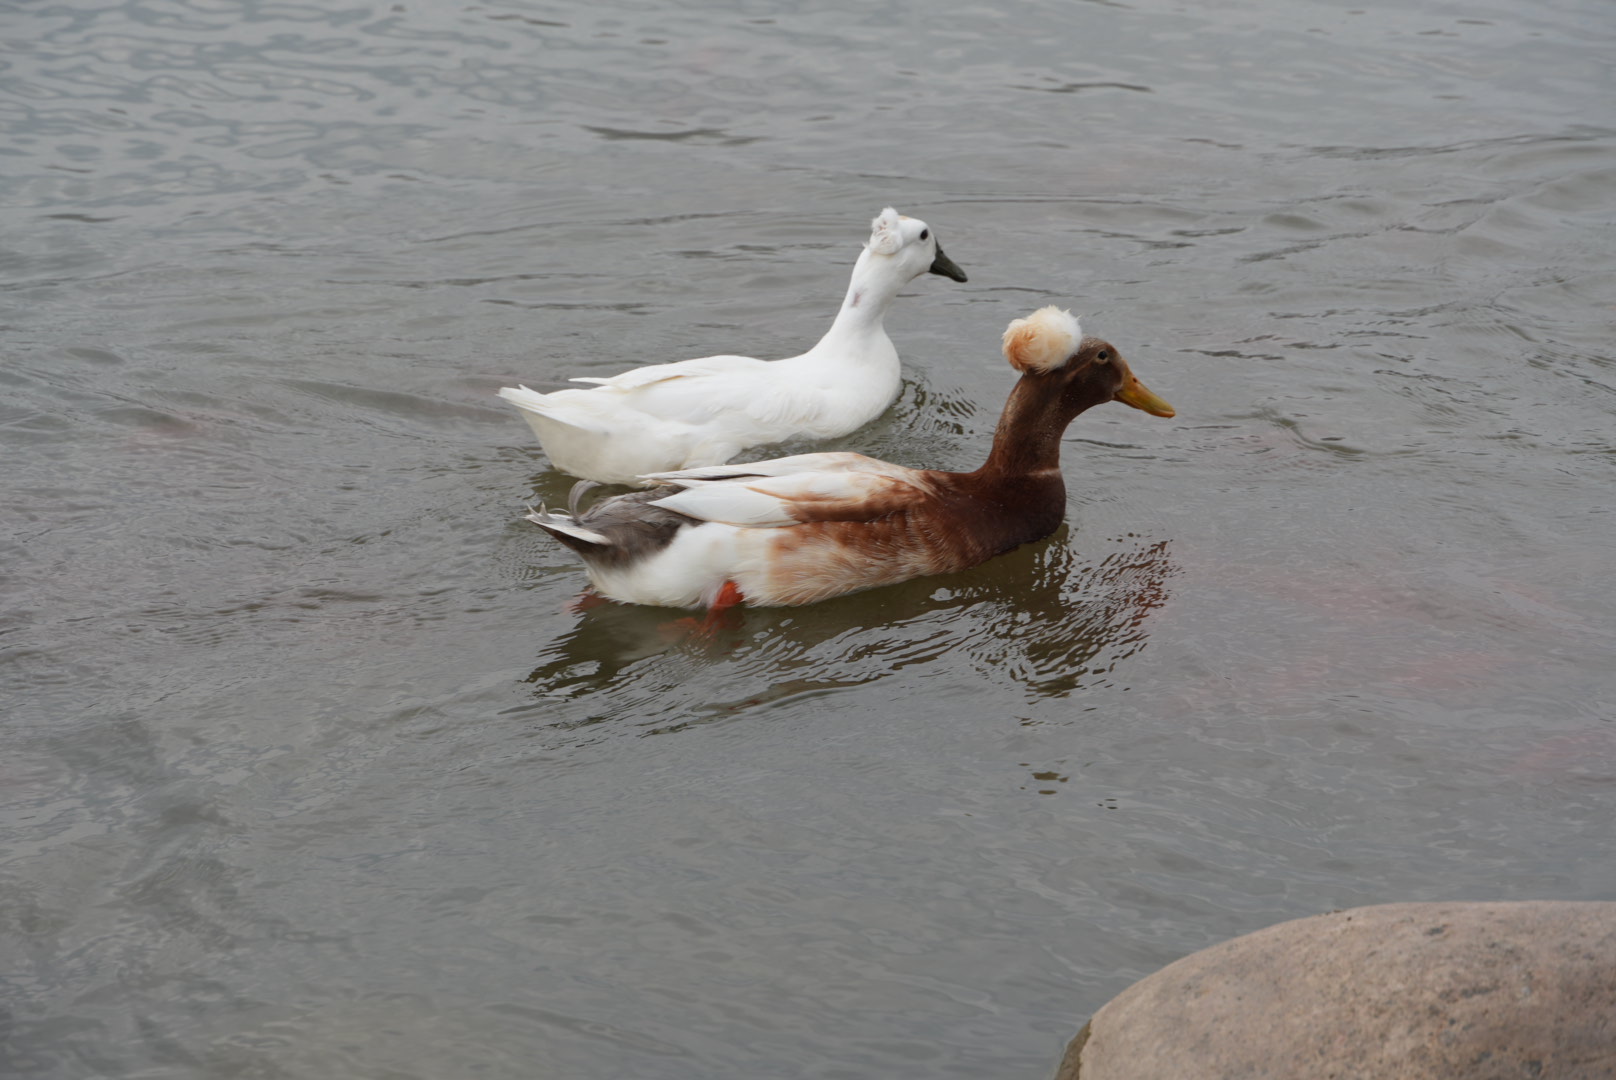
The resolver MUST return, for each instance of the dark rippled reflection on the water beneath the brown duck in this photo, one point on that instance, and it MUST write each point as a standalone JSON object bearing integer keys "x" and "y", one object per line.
{"x": 1046, "y": 618}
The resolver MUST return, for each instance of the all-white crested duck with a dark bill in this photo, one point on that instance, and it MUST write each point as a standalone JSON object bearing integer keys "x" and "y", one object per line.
{"x": 705, "y": 411}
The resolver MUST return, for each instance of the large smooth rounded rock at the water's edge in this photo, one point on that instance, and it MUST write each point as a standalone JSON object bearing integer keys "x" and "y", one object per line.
{"x": 1399, "y": 992}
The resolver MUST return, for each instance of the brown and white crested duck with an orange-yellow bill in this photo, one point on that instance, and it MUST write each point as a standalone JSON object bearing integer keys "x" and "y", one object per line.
{"x": 807, "y": 528}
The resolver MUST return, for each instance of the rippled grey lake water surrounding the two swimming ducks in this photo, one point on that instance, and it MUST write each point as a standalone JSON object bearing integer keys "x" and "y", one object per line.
{"x": 309, "y": 772}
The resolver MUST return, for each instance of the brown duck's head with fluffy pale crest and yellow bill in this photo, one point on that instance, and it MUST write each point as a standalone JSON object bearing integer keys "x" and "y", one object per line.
{"x": 1050, "y": 347}
